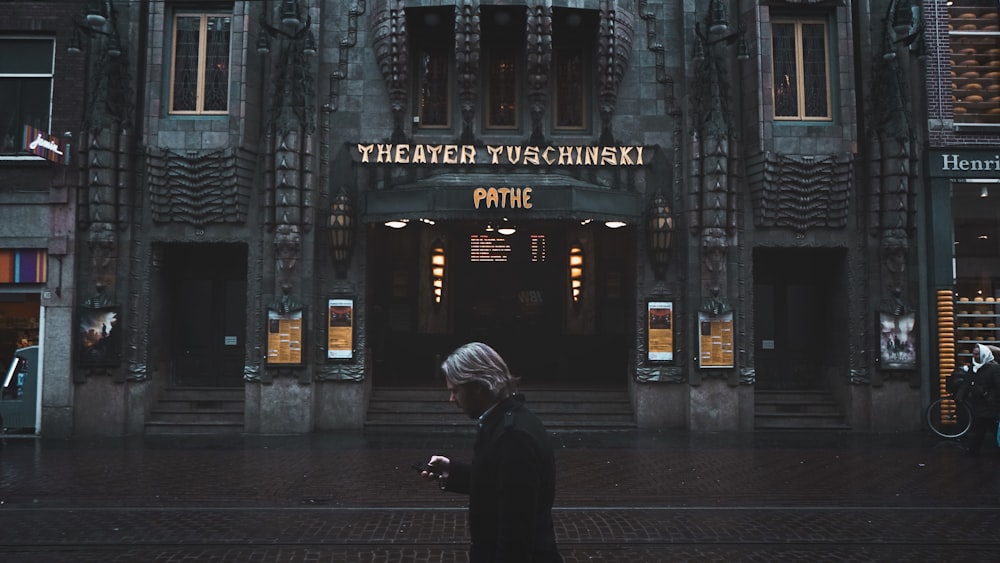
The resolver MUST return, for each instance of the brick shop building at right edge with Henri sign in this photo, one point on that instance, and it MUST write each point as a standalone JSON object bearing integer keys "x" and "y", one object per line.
{"x": 962, "y": 166}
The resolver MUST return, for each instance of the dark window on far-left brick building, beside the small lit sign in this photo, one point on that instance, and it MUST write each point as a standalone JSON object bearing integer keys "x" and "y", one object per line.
{"x": 26, "y": 70}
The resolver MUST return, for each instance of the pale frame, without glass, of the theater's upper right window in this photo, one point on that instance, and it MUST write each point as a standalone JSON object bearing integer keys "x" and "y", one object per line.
{"x": 798, "y": 22}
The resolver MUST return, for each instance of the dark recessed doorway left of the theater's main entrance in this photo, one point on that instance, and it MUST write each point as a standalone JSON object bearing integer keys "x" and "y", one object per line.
{"x": 207, "y": 286}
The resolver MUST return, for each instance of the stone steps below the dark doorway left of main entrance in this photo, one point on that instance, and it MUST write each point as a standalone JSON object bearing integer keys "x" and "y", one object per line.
{"x": 197, "y": 410}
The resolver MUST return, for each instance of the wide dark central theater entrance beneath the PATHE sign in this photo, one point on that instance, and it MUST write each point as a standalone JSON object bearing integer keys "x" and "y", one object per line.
{"x": 510, "y": 291}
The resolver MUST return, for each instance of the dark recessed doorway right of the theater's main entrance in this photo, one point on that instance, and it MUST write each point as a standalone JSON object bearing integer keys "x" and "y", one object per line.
{"x": 800, "y": 316}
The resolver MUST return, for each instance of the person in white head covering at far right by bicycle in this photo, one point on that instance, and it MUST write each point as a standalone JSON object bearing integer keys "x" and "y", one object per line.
{"x": 981, "y": 391}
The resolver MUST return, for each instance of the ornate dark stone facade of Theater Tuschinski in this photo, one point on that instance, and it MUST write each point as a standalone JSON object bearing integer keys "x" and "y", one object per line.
{"x": 710, "y": 204}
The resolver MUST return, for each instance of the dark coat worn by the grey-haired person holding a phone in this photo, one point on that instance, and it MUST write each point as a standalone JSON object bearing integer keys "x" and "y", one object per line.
{"x": 511, "y": 487}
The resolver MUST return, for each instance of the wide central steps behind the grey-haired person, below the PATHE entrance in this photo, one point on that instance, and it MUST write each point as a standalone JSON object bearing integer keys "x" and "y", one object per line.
{"x": 561, "y": 409}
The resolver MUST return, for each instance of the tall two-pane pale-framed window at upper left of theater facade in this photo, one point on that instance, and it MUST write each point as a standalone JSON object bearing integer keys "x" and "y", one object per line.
{"x": 199, "y": 79}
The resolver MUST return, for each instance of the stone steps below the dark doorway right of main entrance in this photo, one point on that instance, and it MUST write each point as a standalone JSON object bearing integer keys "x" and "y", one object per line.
{"x": 797, "y": 410}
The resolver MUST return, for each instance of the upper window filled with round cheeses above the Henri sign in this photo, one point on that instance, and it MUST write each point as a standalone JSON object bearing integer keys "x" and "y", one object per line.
{"x": 975, "y": 61}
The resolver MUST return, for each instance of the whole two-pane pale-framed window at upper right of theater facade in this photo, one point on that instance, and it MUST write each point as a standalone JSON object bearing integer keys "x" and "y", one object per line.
{"x": 801, "y": 57}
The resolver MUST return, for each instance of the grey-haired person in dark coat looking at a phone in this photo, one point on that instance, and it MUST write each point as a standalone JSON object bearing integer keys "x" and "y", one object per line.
{"x": 511, "y": 480}
